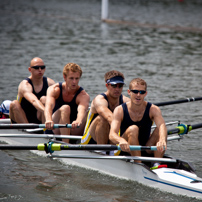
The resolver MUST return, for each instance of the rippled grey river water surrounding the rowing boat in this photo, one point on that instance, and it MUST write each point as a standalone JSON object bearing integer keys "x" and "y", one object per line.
{"x": 162, "y": 44}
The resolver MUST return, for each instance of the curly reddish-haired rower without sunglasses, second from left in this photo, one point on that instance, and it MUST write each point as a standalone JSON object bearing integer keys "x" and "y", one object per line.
{"x": 67, "y": 103}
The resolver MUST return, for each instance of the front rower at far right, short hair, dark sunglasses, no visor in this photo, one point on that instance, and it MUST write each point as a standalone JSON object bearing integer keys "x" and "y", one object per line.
{"x": 135, "y": 118}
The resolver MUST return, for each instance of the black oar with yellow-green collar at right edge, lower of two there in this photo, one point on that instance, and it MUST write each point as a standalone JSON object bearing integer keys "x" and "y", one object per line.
{"x": 184, "y": 129}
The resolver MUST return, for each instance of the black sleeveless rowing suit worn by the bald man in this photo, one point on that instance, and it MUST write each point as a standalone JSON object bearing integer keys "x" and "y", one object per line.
{"x": 29, "y": 109}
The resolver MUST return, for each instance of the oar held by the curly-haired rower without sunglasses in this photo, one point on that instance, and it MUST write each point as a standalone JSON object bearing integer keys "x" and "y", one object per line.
{"x": 31, "y": 126}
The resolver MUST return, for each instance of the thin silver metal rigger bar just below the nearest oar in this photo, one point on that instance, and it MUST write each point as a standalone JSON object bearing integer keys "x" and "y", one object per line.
{"x": 139, "y": 158}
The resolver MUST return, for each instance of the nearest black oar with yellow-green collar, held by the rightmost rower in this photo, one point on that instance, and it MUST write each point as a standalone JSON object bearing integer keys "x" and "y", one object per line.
{"x": 50, "y": 147}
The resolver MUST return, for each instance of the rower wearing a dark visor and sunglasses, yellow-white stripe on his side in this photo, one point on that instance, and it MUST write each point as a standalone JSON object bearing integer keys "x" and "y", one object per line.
{"x": 100, "y": 114}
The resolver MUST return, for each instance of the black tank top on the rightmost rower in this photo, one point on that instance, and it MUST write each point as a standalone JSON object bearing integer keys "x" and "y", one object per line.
{"x": 144, "y": 124}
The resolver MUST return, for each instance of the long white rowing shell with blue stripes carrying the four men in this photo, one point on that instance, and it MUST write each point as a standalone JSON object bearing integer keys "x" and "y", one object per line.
{"x": 178, "y": 178}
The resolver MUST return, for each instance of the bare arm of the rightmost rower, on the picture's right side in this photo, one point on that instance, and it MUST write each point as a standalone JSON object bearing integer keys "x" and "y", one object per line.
{"x": 160, "y": 123}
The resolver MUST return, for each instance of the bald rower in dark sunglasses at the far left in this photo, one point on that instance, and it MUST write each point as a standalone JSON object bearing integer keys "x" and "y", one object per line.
{"x": 29, "y": 106}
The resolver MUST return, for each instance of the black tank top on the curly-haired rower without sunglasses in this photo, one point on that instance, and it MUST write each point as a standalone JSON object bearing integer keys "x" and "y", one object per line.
{"x": 59, "y": 102}
